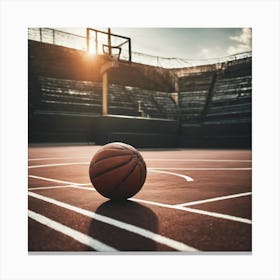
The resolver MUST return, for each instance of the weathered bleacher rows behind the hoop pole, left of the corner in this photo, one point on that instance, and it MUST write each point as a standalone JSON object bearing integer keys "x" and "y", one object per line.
{"x": 60, "y": 95}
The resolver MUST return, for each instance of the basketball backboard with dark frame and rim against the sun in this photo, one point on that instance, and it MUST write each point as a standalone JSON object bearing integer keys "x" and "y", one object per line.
{"x": 104, "y": 42}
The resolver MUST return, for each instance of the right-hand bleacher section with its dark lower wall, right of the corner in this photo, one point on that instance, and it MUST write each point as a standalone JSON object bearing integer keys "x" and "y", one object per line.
{"x": 218, "y": 112}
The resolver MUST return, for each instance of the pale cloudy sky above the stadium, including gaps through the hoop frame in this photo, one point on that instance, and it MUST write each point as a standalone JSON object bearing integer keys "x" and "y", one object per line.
{"x": 188, "y": 46}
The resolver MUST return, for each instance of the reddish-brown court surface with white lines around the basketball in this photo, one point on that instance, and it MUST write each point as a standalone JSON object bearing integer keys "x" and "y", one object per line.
{"x": 193, "y": 200}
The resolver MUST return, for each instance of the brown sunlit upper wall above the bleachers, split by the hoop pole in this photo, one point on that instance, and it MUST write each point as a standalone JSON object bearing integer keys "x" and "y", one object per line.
{"x": 61, "y": 62}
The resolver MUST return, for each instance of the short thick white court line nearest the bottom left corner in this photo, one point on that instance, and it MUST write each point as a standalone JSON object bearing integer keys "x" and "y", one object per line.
{"x": 80, "y": 237}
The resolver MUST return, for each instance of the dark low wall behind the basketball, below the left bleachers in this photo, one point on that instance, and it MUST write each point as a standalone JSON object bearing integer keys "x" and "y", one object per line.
{"x": 139, "y": 132}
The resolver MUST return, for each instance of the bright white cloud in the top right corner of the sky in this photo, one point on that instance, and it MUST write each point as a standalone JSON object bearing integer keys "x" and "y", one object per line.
{"x": 243, "y": 42}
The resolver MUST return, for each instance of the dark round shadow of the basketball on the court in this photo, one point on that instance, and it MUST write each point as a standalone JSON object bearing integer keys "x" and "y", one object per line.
{"x": 128, "y": 212}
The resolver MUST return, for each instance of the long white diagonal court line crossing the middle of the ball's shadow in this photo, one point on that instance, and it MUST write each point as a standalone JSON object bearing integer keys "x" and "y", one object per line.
{"x": 125, "y": 226}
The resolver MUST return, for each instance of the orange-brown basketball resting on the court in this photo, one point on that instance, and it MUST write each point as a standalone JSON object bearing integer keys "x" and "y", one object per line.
{"x": 117, "y": 171}
